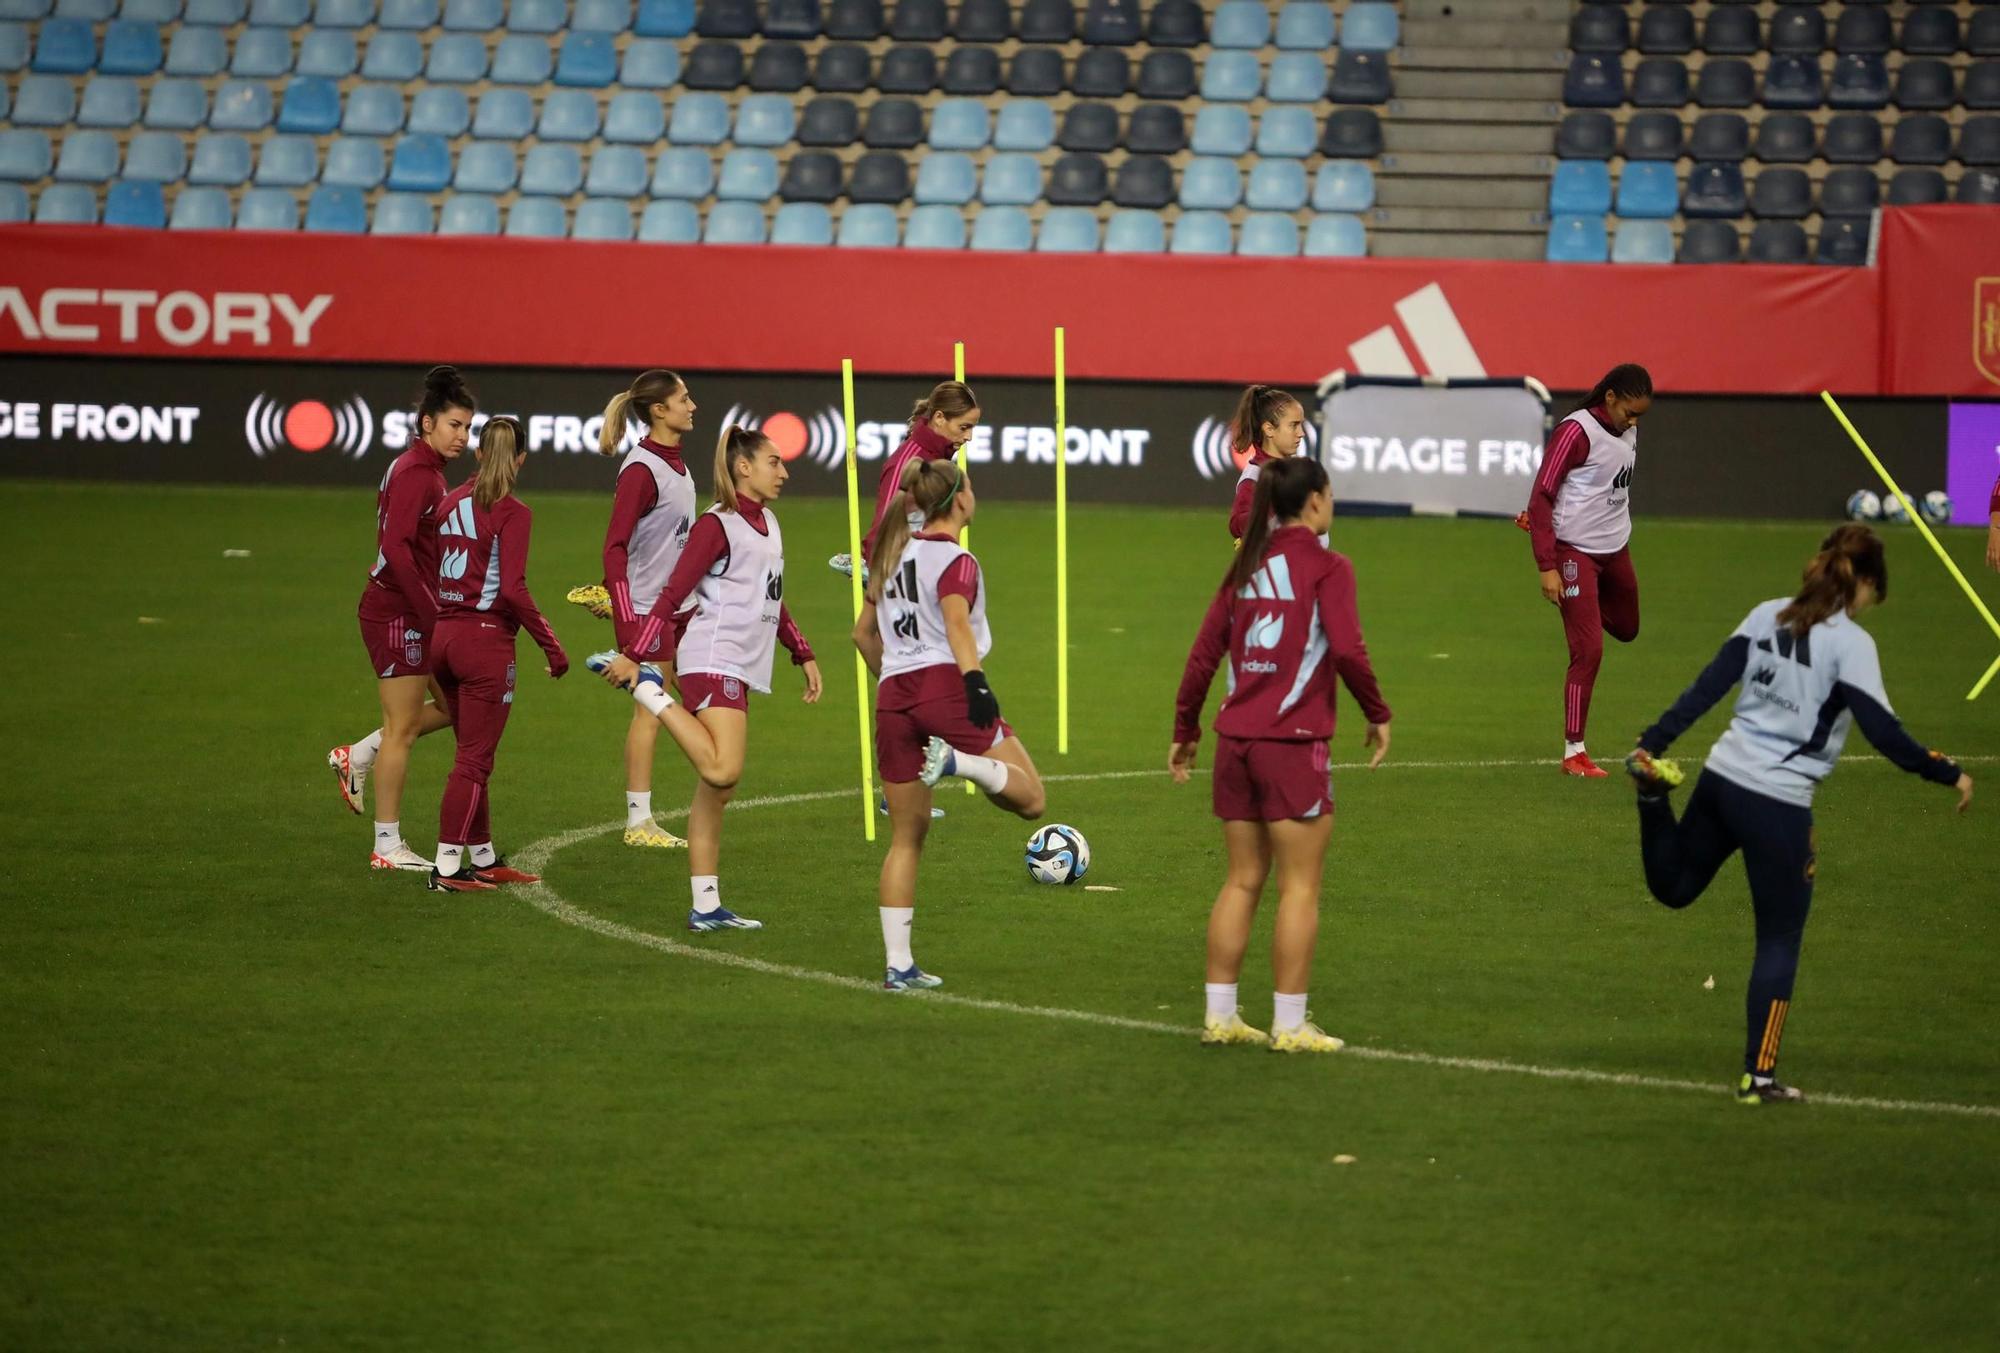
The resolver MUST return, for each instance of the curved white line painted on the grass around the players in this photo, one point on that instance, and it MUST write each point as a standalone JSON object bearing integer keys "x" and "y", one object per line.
{"x": 543, "y": 898}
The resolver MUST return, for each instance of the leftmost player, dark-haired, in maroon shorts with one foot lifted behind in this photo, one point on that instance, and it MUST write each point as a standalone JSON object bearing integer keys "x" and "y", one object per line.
{"x": 399, "y": 611}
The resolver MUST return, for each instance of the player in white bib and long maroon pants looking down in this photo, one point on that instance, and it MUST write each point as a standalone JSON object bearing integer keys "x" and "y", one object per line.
{"x": 1581, "y": 521}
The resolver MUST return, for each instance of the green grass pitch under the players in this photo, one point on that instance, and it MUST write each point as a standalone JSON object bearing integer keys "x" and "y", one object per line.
{"x": 257, "y": 1096}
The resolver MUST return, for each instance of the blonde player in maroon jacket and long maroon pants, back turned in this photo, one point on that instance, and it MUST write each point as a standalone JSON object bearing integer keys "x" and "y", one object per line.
{"x": 483, "y": 603}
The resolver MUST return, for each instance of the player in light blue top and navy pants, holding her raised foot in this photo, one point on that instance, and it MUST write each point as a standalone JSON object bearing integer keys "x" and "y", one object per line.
{"x": 1809, "y": 673}
